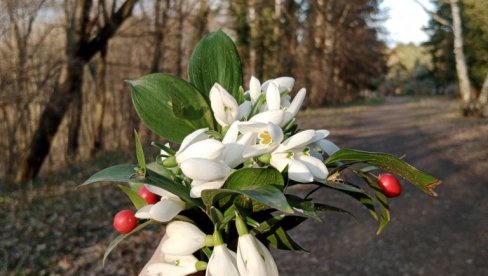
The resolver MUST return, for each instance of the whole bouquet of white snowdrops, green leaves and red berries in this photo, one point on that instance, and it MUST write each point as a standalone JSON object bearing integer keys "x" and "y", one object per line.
{"x": 223, "y": 194}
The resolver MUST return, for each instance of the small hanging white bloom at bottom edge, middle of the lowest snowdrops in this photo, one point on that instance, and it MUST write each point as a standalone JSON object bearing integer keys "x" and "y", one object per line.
{"x": 222, "y": 262}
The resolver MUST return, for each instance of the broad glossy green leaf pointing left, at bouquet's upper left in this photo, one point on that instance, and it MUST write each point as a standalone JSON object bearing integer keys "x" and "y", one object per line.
{"x": 170, "y": 106}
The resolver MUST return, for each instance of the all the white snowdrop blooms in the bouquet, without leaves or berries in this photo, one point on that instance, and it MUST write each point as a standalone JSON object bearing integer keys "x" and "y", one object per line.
{"x": 257, "y": 133}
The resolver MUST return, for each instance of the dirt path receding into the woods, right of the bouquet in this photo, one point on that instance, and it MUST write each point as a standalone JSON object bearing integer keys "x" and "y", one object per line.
{"x": 447, "y": 235}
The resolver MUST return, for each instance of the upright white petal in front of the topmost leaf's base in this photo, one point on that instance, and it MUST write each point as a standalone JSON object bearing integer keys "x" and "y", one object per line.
{"x": 223, "y": 105}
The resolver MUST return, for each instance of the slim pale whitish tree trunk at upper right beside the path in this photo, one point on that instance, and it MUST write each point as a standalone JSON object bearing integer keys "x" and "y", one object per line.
{"x": 461, "y": 67}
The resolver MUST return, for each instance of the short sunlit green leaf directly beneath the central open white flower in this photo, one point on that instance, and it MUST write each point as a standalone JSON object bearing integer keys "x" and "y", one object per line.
{"x": 253, "y": 177}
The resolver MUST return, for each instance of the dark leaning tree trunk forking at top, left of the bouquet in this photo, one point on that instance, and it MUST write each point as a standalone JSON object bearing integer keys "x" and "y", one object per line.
{"x": 79, "y": 52}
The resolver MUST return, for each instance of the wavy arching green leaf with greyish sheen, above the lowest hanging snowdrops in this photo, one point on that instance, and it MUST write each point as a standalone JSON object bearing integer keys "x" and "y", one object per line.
{"x": 268, "y": 195}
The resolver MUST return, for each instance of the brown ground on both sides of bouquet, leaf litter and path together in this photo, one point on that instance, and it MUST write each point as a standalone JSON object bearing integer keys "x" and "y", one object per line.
{"x": 57, "y": 231}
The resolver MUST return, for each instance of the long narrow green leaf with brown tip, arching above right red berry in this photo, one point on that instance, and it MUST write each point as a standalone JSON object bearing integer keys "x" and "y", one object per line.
{"x": 420, "y": 179}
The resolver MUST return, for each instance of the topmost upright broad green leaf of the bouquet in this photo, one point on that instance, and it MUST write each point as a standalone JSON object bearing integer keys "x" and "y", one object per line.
{"x": 216, "y": 60}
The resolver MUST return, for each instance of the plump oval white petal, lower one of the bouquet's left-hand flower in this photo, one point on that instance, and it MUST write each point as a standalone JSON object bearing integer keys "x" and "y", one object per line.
{"x": 203, "y": 169}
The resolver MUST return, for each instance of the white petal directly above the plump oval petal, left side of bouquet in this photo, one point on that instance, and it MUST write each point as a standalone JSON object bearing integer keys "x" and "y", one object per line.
{"x": 210, "y": 149}
